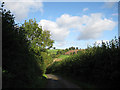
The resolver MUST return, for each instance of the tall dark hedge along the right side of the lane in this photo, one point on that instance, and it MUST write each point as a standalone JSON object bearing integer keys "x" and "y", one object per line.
{"x": 98, "y": 65}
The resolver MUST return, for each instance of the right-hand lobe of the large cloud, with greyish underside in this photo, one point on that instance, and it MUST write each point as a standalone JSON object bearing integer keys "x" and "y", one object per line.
{"x": 94, "y": 27}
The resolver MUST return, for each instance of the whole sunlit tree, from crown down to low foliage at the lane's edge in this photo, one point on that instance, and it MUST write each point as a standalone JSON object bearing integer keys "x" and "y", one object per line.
{"x": 39, "y": 40}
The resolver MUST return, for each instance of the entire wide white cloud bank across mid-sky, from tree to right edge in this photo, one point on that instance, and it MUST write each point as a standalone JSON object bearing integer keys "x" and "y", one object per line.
{"x": 89, "y": 27}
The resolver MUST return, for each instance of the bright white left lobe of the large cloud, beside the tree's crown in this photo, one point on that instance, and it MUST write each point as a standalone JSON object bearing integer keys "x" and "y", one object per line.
{"x": 58, "y": 33}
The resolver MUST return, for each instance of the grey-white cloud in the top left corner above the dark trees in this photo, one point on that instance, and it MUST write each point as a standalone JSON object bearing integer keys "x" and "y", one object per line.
{"x": 21, "y": 8}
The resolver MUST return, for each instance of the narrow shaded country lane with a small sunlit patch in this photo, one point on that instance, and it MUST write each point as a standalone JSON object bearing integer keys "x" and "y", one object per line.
{"x": 55, "y": 81}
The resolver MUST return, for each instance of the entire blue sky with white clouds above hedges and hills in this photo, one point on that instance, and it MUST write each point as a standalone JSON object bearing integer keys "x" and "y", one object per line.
{"x": 77, "y": 24}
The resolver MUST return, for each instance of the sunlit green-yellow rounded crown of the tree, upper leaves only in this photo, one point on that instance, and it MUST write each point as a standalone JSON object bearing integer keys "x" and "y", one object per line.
{"x": 37, "y": 36}
